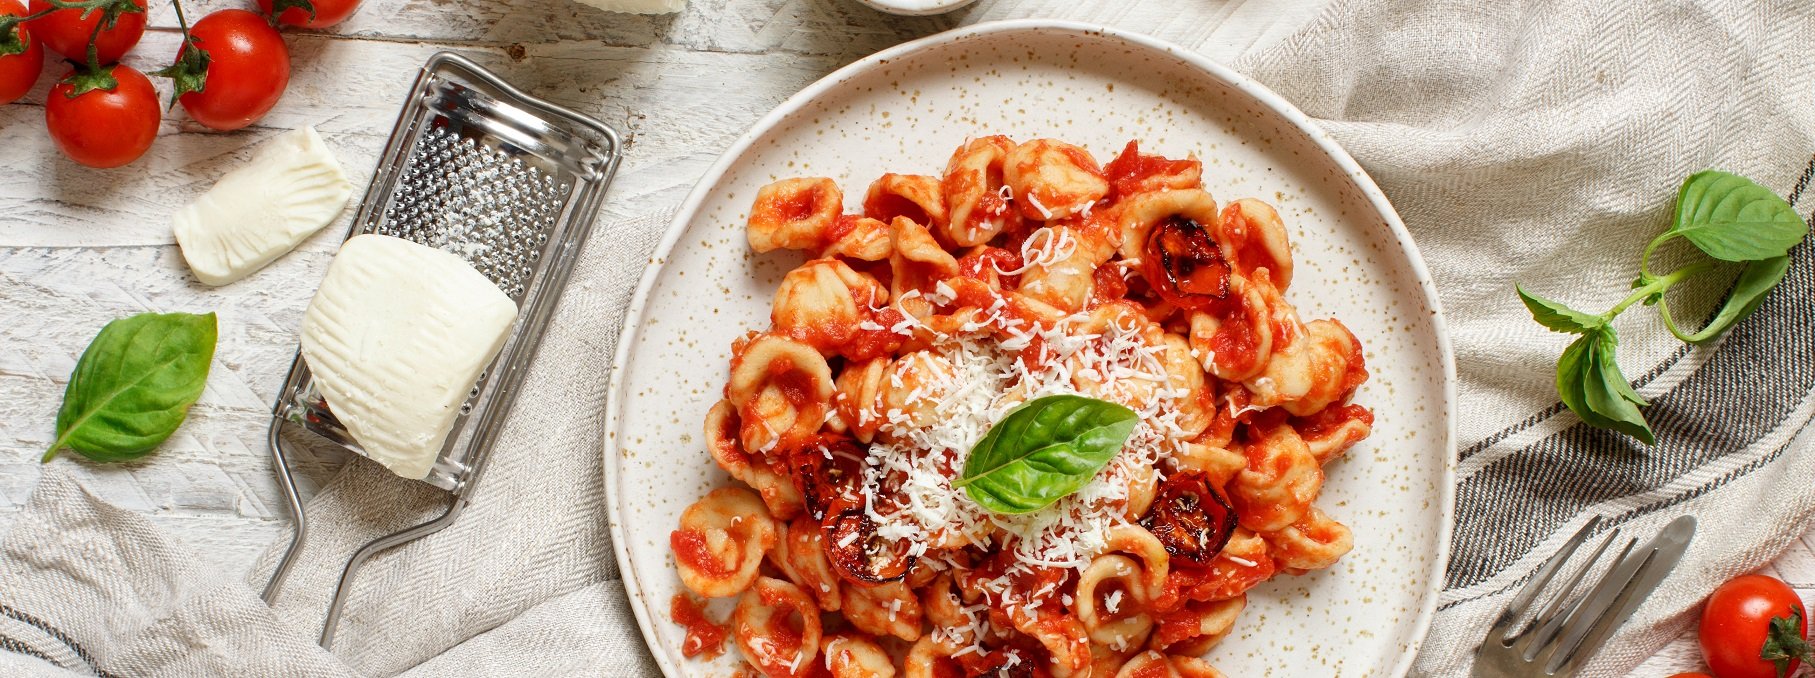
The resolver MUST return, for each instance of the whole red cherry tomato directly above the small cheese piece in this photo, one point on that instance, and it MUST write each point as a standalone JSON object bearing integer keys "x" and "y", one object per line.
{"x": 248, "y": 70}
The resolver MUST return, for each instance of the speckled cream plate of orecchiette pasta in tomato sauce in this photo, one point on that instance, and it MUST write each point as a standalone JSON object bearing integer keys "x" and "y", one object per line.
{"x": 1034, "y": 351}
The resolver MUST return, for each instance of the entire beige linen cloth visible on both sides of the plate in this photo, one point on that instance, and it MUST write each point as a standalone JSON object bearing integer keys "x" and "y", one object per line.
{"x": 1531, "y": 142}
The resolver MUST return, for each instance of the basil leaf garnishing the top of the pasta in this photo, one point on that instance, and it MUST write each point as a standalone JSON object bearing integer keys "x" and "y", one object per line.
{"x": 1045, "y": 450}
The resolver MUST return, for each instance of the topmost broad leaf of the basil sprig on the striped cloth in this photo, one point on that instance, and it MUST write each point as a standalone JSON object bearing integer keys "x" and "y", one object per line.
{"x": 1732, "y": 218}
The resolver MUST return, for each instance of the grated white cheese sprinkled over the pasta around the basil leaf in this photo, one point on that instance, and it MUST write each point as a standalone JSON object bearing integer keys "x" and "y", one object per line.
{"x": 910, "y": 467}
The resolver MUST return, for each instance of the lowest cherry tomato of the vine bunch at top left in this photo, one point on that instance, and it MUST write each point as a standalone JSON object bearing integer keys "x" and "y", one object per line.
{"x": 104, "y": 128}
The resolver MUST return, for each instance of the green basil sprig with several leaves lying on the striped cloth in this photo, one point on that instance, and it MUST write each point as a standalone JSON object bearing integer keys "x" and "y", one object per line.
{"x": 1725, "y": 217}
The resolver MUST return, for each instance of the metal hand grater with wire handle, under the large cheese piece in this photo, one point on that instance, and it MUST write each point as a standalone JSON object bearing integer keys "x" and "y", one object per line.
{"x": 513, "y": 186}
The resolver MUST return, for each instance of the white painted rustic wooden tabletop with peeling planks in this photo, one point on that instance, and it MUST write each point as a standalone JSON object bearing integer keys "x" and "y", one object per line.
{"x": 81, "y": 247}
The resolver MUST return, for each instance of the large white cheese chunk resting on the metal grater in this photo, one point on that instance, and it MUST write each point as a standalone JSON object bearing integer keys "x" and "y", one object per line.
{"x": 397, "y": 338}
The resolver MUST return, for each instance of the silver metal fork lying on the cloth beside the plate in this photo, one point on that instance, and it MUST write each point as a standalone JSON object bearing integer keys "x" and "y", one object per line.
{"x": 1569, "y": 630}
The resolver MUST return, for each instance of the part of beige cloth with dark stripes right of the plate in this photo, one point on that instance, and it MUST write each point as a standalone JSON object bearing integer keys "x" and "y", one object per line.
{"x": 1542, "y": 142}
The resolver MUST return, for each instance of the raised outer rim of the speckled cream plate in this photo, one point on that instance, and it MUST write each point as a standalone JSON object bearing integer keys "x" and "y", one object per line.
{"x": 1261, "y": 93}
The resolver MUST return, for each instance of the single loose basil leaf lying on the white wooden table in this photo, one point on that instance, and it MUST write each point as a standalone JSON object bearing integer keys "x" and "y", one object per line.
{"x": 135, "y": 385}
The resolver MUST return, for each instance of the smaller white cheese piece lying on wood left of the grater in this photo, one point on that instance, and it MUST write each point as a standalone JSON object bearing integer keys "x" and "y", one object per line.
{"x": 291, "y": 189}
